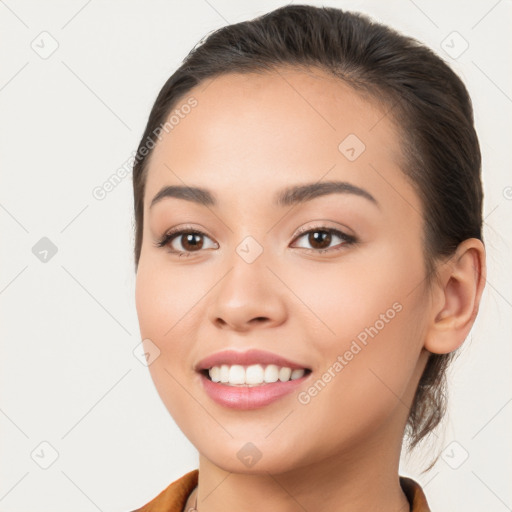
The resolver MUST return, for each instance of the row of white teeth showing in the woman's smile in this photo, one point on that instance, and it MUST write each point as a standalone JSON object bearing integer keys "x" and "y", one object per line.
{"x": 253, "y": 375}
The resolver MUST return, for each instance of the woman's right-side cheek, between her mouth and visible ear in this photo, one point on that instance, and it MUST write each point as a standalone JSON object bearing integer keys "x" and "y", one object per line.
{"x": 370, "y": 314}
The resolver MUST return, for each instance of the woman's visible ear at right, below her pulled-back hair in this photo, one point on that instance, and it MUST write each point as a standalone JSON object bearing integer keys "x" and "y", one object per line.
{"x": 457, "y": 295}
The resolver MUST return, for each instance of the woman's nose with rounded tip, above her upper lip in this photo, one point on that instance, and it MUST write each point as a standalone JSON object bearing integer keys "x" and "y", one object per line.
{"x": 249, "y": 296}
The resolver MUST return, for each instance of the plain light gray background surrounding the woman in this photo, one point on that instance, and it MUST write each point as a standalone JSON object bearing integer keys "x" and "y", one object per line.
{"x": 69, "y": 327}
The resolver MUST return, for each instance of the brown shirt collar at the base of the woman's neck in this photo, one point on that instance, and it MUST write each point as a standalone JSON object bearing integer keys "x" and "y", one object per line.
{"x": 174, "y": 497}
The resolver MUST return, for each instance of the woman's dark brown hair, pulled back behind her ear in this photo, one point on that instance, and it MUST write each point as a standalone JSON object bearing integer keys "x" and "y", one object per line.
{"x": 427, "y": 100}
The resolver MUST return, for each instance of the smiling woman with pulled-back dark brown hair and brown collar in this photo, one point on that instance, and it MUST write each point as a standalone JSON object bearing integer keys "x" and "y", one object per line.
{"x": 309, "y": 257}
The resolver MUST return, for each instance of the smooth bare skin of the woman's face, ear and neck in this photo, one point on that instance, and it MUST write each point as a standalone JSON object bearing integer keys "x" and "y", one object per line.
{"x": 249, "y": 137}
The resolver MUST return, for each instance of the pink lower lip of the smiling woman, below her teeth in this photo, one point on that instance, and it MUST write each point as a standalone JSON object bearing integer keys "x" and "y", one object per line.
{"x": 242, "y": 397}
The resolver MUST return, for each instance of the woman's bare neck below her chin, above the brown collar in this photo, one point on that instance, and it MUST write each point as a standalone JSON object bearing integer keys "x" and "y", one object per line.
{"x": 366, "y": 478}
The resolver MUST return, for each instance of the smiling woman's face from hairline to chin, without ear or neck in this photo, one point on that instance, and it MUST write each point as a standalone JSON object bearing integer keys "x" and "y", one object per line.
{"x": 350, "y": 304}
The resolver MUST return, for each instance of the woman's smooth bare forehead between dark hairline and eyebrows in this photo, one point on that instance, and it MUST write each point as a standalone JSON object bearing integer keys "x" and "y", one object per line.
{"x": 251, "y": 131}
